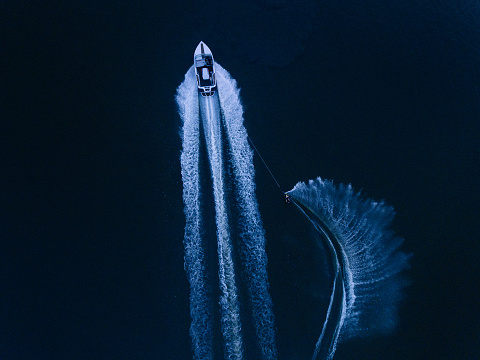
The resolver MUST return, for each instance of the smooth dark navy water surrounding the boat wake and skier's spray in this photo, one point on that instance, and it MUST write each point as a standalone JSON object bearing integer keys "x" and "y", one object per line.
{"x": 383, "y": 96}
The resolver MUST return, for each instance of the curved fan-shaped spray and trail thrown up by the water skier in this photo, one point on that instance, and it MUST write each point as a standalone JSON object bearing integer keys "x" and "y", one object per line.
{"x": 369, "y": 264}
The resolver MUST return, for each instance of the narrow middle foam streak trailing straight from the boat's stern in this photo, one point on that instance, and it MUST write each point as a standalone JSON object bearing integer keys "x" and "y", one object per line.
{"x": 231, "y": 325}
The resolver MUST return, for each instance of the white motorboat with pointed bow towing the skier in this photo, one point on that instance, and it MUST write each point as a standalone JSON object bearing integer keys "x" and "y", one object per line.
{"x": 205, "y": 70}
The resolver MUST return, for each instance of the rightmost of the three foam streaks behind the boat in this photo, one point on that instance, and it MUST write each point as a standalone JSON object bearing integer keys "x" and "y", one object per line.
{"x": 252, "y": 233}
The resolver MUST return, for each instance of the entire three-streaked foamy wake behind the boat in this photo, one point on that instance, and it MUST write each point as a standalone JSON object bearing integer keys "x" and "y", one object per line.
{"x": 243, "y": 298}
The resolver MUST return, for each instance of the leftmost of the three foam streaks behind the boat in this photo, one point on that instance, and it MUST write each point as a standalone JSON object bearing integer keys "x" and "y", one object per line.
{"x": 200, "y": 302}
